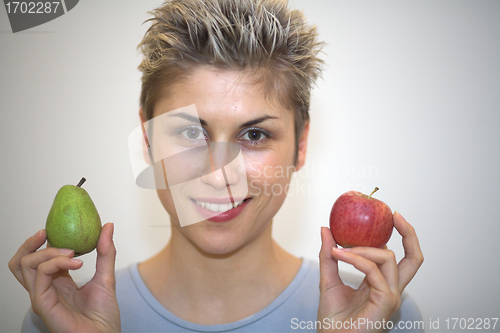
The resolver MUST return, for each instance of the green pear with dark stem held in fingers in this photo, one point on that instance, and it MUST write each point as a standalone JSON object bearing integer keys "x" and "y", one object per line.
{"x": 73, "y": 221}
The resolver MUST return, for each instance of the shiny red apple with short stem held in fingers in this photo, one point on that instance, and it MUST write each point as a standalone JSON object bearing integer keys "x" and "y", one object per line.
{"x": 357, "y": 219}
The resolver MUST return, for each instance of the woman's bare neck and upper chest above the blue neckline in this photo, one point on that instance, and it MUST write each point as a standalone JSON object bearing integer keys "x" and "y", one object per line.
{"x": 209, "y": 288}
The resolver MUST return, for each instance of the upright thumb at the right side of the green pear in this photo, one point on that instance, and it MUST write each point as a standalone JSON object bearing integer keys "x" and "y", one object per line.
{"x": 106, "y": 257}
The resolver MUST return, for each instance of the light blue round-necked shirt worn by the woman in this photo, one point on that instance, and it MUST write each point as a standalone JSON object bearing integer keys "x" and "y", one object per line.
{"x": 294, "y": 310}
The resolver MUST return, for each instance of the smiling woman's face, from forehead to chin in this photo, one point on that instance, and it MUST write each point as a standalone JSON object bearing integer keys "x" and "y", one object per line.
{"x": 233, "y": 109}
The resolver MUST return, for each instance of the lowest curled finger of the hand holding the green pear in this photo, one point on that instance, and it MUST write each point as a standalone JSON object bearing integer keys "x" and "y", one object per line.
{"x": 44, "y": 276}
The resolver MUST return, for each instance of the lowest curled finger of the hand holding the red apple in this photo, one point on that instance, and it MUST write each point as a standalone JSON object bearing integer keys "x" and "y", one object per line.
{"x": 380, "y": 293}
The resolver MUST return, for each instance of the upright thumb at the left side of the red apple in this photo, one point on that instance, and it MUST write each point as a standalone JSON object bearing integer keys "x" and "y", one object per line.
{"x": 329, "y": 270}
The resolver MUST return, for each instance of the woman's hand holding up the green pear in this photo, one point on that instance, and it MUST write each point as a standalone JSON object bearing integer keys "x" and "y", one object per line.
{"x": 55, "y": 297}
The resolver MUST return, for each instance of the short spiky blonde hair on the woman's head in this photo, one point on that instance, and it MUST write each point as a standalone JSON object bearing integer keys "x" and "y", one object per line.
{"x": 258, "y": 35}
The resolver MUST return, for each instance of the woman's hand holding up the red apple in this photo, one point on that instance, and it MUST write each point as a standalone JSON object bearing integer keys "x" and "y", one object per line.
{"x": 379, "y": 295}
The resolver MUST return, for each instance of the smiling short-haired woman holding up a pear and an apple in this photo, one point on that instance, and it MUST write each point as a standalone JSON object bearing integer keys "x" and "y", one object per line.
{"x": 243, "y": 70}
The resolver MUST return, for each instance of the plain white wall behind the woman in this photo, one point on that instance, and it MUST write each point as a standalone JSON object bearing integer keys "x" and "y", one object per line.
{"x": 410, "y": 102}
